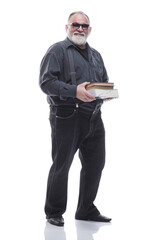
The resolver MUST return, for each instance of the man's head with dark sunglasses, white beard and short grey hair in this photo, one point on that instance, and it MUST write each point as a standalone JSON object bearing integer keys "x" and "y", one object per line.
{"x": 78, "y": 28}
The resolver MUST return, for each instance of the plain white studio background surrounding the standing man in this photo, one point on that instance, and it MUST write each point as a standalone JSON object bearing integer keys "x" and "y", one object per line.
{"x": 126, "y": 33}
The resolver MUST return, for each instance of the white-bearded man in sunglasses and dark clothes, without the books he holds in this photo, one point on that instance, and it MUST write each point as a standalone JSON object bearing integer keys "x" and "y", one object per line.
{"x": 75, "y": 119}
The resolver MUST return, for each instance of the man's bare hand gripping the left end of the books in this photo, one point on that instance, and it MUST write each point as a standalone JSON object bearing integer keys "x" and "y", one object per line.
{"x": 83, "y": 94}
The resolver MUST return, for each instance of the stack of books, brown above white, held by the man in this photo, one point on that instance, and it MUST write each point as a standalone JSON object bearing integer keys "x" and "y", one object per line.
{"x": 102, "y": 90}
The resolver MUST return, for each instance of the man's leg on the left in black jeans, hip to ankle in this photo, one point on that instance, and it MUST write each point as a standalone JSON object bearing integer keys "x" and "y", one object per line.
{"x": 63, "y": 150}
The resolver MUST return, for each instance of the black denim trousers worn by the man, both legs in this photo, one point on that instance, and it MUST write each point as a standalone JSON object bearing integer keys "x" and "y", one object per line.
{"x": 75, "y": 128}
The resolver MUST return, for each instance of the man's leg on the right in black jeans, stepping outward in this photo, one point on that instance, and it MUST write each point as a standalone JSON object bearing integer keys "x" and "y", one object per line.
{"x": 92, "y": 155}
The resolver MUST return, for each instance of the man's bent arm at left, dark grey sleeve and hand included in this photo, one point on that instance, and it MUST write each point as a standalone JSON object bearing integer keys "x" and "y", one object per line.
{"x": 50, "y": 84}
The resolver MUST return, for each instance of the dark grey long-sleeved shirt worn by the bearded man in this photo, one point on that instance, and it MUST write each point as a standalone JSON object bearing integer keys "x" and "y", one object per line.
{"x": 55, "y": 78}
